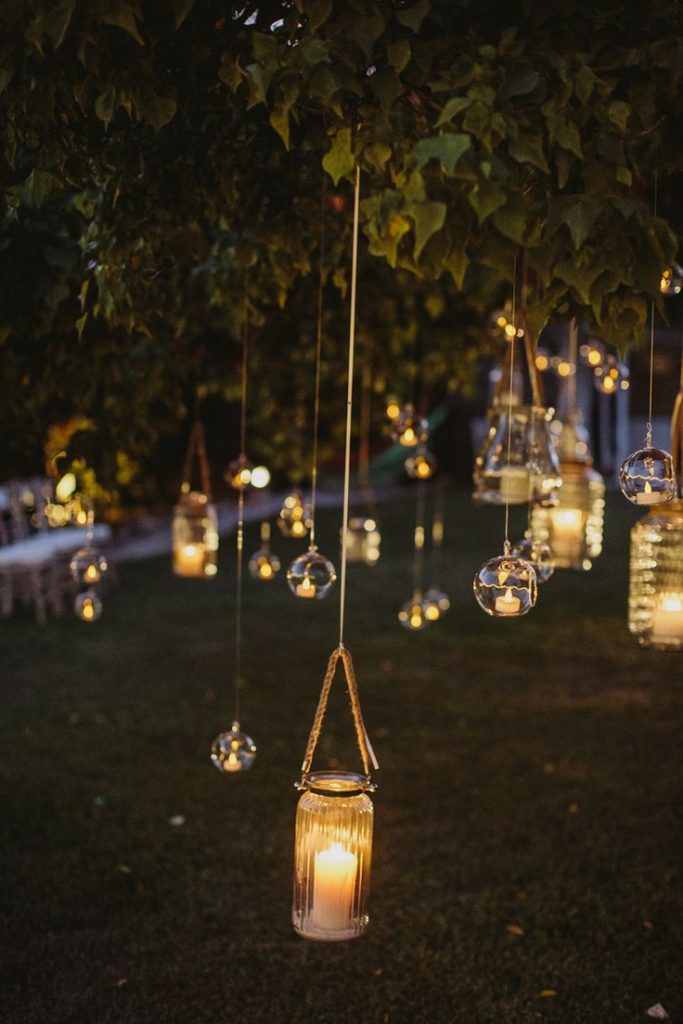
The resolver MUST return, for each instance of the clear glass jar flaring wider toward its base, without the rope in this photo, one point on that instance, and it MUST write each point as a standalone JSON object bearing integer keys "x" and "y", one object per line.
{"x": 532, "y": 473}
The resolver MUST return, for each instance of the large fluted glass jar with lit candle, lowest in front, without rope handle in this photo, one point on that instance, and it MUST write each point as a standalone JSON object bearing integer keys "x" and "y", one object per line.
{"x": 332, "y": 857}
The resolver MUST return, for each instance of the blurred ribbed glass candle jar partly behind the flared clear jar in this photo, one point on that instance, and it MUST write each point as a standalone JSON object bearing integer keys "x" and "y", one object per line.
{"x": 573, "y": 528}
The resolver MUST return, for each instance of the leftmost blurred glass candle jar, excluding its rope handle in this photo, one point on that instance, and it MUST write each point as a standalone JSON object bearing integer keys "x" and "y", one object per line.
{"x": 195, "y": 537}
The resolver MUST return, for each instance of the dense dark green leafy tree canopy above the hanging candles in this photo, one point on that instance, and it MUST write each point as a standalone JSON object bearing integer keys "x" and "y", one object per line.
{"x": 156, "y": 157}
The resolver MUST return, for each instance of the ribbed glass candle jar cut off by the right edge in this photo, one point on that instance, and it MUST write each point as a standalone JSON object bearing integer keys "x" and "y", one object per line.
{"x": 656, "y": 592}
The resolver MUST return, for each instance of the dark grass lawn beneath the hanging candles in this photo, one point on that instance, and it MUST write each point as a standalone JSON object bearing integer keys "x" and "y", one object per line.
{"x": 528, "y": 842}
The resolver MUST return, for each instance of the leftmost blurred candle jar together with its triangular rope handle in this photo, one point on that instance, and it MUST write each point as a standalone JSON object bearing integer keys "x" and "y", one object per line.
{"x": 195, "y": 530}
